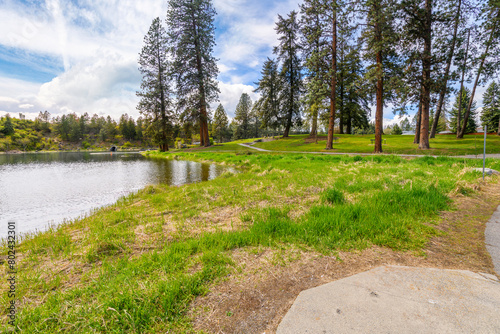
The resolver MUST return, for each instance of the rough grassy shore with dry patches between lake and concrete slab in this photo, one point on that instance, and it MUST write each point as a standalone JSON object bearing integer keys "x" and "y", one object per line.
{"x": 137, "y": 265}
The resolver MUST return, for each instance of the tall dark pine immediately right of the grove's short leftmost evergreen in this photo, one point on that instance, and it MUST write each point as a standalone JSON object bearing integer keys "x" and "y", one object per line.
{"x": 288, "y": 53}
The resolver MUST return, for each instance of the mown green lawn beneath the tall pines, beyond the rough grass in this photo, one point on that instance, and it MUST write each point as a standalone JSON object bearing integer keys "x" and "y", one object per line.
{"x": 441, "y": 145}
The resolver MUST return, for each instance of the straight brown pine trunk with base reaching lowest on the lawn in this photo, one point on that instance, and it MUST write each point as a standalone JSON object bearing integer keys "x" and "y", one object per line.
{"x": 379, "y": 113}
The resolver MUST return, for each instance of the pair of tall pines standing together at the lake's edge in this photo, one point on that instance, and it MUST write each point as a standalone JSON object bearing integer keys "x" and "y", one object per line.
{"x": 179, "y": 72}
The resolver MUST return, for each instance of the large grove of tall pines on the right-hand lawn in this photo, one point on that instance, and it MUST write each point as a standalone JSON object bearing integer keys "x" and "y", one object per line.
{"x": 340, "y": 57}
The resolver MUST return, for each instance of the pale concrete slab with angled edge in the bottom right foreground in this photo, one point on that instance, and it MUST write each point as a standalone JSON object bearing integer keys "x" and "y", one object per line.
{"x": 393, "y": 299}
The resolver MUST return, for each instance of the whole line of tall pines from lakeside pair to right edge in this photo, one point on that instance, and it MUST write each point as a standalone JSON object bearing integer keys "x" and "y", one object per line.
{"x": 334, "y": 60}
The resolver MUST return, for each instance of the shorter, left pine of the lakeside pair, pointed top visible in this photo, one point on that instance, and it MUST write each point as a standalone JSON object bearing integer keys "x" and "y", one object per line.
{"x": 155, "y": 93}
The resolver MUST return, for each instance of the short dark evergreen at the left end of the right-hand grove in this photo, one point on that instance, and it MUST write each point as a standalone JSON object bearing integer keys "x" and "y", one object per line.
{"x": 269, "y": 86}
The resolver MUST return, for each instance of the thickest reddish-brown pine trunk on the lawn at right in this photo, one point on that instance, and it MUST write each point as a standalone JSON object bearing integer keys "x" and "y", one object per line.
{"x": 426, "y": 78}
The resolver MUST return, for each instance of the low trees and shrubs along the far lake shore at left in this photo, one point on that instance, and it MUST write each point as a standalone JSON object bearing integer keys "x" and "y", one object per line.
{"x": 46, "y": 132}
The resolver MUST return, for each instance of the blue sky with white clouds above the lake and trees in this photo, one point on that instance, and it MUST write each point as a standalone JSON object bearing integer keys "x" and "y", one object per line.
{"x": 81, "y": 55}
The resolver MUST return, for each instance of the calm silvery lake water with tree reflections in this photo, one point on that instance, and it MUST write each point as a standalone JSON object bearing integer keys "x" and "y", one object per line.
{"x": 46, "y": 188}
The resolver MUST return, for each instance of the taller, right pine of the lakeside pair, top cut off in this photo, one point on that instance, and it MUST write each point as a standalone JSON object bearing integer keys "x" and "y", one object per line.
{"x": 191, "y": 33}
